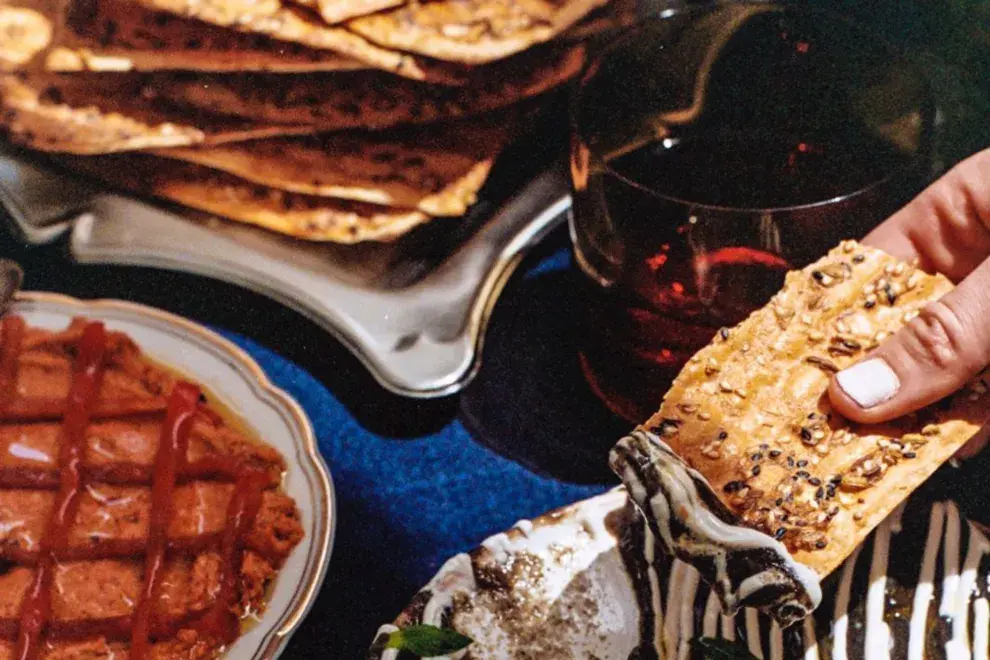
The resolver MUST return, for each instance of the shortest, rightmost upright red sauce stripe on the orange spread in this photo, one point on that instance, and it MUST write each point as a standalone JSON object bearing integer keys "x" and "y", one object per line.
{"x": 220, "y": 621}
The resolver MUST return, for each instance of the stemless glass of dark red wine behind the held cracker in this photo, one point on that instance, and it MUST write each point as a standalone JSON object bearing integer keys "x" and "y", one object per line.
{"x": 714, "y": 149}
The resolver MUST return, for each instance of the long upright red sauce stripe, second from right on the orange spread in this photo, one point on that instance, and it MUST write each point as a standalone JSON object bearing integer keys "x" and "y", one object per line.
{"x": 173, "y": 445}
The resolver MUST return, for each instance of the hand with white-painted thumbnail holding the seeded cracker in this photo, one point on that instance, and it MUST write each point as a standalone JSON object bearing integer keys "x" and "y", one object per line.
{"x": 947, "y": 228}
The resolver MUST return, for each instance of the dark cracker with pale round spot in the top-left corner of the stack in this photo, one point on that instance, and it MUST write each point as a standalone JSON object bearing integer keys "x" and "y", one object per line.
{"x": 117, "y": 35}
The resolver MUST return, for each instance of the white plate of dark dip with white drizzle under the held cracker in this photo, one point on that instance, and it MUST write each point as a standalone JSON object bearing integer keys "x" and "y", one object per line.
{"x": 575, "y": 584}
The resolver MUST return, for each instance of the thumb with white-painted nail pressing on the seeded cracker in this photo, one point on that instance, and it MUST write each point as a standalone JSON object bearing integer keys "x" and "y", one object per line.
{"x": 934, "y": 355}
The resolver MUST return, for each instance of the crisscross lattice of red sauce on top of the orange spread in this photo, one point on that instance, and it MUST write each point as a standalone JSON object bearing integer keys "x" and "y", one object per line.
{"x": 70, "y": 471}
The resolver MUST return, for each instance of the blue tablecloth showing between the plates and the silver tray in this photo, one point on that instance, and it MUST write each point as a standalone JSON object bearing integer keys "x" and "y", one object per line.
{"x": 404, "y": 505}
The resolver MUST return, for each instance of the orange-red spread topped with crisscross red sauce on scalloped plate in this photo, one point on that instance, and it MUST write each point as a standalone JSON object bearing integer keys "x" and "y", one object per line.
{"x": 135, "y": 521}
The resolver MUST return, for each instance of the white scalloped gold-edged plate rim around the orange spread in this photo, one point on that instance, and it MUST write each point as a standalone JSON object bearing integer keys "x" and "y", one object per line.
{"x": 240, "y": 384}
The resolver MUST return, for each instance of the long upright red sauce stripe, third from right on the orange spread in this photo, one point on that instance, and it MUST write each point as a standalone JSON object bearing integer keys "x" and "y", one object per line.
{"x": 86, "y": 379}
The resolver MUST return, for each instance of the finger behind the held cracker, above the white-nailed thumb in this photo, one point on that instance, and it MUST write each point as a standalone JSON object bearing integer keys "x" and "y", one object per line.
{"x": 947, "y": 226}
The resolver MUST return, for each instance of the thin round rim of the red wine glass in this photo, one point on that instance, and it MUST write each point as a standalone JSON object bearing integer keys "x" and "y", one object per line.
{"x": 590, "y": 69}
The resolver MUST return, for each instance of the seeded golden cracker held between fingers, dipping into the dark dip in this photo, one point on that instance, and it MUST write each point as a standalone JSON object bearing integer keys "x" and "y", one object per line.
{"x": 750, "y": 411}
